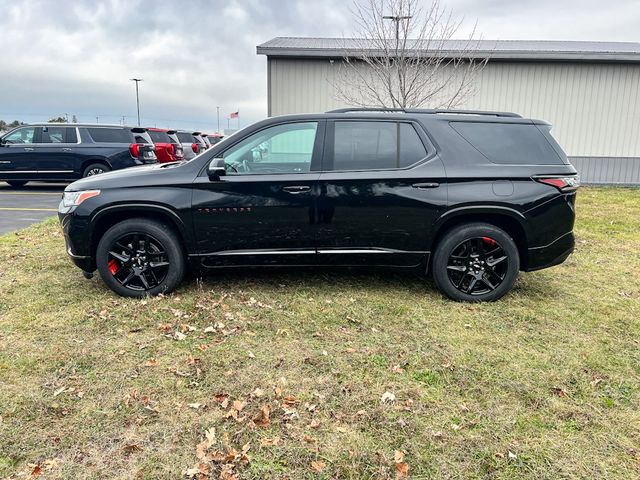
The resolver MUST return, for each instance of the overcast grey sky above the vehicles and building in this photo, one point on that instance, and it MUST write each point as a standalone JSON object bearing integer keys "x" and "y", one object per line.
{"x": 76, "y": 56}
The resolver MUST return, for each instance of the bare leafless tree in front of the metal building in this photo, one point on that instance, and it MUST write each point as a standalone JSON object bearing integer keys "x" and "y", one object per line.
{"x": 405, "y": 56}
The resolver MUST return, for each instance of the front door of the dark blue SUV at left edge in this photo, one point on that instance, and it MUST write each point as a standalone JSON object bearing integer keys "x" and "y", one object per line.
{"x": 18, "y": 155}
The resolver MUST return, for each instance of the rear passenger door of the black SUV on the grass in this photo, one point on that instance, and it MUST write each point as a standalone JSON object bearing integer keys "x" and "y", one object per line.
{"x": 382, "y": 187}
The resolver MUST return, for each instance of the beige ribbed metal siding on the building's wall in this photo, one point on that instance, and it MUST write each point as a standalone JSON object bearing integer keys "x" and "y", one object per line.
{"x": 594, "y": 107}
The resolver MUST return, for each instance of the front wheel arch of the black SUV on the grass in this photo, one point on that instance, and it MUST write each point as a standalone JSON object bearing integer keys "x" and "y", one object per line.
{"x": 110, "y": 216}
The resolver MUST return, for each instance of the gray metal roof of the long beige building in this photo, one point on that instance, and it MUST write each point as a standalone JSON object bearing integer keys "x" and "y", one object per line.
{"x": 544, "y": 50}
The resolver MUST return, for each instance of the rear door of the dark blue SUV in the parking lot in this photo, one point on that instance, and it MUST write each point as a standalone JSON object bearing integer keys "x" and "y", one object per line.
{"x": 56, "y": 153}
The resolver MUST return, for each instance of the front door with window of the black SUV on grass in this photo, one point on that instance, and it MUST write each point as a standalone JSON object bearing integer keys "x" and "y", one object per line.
{"x": 260, "y": 212}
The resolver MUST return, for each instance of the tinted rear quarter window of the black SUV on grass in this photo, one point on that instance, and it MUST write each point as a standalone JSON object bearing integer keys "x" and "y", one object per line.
{"x": 512, "y": 143}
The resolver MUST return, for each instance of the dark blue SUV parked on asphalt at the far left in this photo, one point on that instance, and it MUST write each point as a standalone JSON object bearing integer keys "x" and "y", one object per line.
{"x": 63, "y": 151}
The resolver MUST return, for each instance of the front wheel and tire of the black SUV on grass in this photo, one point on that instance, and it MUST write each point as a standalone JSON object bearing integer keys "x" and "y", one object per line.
{"x": 129, "y": 272}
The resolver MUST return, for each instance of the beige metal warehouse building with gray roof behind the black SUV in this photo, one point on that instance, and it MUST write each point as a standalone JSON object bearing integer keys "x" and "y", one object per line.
{"x": 589, "y": 91}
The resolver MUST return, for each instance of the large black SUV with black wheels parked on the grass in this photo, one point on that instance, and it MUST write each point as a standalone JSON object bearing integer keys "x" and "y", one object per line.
{"x": 471, "y": 197}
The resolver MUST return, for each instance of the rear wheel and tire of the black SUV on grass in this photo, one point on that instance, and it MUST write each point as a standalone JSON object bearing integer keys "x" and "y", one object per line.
{"x": 480, "y": 252}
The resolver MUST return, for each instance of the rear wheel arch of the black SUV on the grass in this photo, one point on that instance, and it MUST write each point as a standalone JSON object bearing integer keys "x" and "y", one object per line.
{"x": 509, "y": 220}
